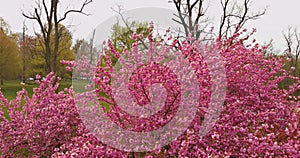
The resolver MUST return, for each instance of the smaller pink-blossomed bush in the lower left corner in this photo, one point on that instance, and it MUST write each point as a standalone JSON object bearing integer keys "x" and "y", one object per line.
{"x": 36, "y": 126}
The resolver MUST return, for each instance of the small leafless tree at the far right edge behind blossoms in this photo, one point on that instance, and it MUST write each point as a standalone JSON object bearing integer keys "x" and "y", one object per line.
{"x": 292, "y": 39}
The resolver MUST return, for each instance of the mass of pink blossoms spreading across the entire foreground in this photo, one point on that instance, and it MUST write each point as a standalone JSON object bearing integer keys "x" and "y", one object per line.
{"x": 256, "y": 119}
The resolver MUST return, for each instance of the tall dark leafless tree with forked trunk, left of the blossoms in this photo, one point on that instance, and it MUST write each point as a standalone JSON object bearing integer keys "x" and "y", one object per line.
{"x": 46, "y": 14}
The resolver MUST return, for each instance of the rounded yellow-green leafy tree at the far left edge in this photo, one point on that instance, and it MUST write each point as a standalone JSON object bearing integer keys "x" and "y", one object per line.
{"x": 9, "y": 54}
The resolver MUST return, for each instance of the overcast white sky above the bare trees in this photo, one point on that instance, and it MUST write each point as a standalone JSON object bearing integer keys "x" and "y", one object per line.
{"x": 281, "y": 14}
